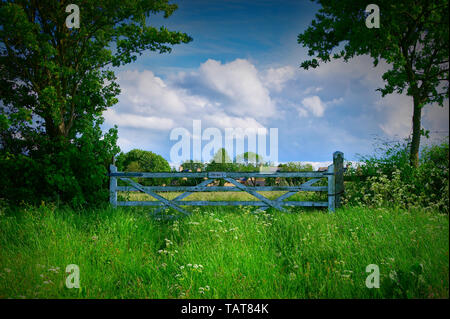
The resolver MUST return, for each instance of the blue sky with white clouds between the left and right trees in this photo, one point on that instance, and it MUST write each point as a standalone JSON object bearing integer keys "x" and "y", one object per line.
{"x": 242, "y": 70}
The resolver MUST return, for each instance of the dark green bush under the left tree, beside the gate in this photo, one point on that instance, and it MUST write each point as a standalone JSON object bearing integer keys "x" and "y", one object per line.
{"x": 75, "y": 173}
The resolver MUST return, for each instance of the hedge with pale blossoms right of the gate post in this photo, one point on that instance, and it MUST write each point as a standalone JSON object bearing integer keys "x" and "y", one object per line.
{"x": 388, "y": 180}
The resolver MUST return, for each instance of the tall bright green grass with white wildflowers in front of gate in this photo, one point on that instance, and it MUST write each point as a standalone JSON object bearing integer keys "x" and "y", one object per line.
{"x": 224, "y": 253}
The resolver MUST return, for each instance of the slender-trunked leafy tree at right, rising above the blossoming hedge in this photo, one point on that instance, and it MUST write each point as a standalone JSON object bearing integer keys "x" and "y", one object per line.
{"x": 413, "y": 37}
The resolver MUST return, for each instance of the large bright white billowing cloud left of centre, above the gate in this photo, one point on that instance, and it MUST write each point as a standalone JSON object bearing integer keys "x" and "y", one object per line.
{"x": 230, "y": 95}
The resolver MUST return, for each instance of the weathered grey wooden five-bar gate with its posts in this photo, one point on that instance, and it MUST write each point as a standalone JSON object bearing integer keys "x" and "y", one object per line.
{"x": 334, "y": 189}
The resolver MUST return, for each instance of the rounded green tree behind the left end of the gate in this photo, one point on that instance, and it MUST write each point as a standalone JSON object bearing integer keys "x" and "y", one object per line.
{"x": 143, "y": 161}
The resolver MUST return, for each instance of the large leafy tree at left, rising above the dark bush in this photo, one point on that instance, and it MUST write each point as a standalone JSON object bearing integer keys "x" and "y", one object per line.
{"x": 61, "y": 76}
